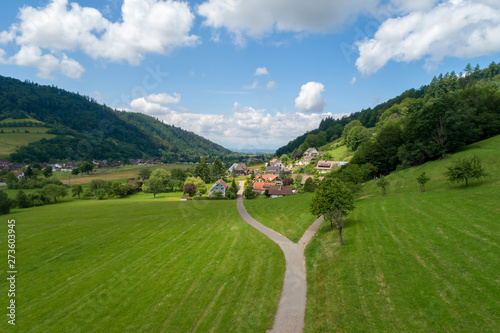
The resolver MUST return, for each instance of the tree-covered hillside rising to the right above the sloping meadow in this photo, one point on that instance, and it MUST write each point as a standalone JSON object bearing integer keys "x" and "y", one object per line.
{"x": 418, "y": 125}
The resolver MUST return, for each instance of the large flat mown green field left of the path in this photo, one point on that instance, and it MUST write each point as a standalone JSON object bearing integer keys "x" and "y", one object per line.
{"x": 132, "y": 265}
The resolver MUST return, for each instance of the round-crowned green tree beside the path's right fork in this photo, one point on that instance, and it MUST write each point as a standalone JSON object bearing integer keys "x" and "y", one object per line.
{"x": 334, "y": 201}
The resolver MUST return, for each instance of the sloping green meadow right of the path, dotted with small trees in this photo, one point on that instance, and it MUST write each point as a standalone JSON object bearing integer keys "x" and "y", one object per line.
{"x": 413, "y": 262}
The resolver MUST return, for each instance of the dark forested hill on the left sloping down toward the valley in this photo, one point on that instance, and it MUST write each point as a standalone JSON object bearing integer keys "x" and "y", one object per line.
{"x": 84, "y": 129}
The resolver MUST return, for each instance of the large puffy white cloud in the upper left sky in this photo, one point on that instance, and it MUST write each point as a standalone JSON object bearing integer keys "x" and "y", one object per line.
{"x": 146, "y": 26}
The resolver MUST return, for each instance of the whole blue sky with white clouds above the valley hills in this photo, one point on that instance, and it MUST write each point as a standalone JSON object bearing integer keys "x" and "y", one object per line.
{"x": 244, "y": 73}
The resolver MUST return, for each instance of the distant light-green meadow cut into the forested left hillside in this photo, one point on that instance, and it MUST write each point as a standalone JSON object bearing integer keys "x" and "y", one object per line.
{"x": 10, "y": 141}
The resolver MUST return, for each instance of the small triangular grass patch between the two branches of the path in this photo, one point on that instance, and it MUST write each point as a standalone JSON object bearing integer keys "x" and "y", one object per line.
{"x": 287, "y": 215}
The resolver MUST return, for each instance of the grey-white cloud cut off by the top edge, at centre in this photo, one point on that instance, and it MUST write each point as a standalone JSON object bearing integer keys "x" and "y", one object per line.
{"x": 258, "y": 17}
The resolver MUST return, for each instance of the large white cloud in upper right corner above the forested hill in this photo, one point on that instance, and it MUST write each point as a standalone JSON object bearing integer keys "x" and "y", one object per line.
{"x": 458, "y": 28}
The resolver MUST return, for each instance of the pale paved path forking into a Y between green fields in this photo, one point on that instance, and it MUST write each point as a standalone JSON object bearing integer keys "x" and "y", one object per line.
{"x": 292, "y": 307}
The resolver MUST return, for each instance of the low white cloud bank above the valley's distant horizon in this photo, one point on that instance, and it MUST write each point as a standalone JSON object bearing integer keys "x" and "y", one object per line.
{"x": 249, "y": 127}
